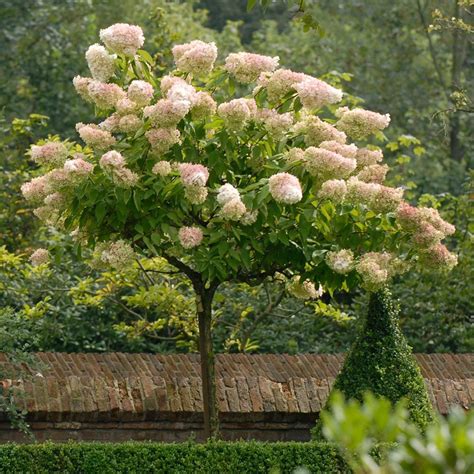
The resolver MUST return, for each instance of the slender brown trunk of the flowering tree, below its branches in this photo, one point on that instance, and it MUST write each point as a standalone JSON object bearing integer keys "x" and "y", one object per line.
{"x": 204, "y": 299}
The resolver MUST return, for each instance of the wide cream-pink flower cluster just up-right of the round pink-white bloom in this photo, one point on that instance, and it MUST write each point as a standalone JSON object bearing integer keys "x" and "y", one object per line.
{"x": 325, "y": 164}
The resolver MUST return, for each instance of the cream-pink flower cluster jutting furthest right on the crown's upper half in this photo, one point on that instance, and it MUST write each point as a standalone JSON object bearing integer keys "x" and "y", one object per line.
{"x": 360, "y": 123}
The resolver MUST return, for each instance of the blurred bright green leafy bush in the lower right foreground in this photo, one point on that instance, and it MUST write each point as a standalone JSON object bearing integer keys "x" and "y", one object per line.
{"x": 447, "y": 446}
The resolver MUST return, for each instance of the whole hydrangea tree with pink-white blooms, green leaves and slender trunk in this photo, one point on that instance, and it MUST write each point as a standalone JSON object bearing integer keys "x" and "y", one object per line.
{"x": 232, "y": 173}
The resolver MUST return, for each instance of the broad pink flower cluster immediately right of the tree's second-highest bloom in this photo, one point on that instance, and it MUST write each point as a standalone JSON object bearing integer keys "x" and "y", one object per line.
{"x": 247, "y": 67}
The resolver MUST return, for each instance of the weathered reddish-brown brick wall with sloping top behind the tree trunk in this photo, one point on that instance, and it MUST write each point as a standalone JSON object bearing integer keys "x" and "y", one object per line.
{"x": 118, "y": 397}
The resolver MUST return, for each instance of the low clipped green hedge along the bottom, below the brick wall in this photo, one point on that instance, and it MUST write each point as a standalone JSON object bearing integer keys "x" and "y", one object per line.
{"x": 133, "y": 457}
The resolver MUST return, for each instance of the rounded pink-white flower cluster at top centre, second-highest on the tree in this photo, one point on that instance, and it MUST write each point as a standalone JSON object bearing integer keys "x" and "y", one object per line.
{"x": 196, "y": 57}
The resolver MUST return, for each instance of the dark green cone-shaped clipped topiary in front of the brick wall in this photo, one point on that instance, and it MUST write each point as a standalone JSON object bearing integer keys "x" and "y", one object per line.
{"x": 381, "y": 361}
